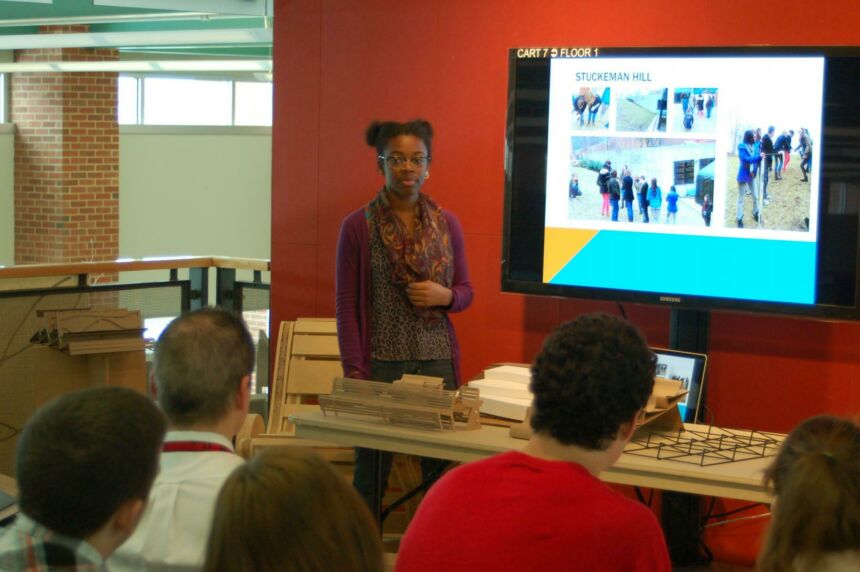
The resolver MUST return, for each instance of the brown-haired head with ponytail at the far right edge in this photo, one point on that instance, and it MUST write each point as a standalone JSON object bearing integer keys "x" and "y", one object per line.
{"x": 816, "y": 481}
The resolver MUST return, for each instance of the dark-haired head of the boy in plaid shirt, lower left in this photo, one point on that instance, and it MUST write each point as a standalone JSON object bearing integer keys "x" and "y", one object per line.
{"x": 86, "y": 461}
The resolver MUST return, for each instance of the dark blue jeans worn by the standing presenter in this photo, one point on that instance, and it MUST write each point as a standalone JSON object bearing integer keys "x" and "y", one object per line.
{"x": 366, "y": 460}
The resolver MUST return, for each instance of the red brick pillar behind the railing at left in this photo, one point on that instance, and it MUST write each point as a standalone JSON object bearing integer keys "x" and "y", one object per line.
{"x": 66, "y": 159}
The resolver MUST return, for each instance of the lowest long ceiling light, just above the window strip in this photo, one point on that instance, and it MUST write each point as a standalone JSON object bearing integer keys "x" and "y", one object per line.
{"x": 141, "y": 66}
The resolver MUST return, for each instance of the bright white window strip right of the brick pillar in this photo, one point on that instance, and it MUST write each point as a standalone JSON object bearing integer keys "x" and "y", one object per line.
{"x": 184, "y": 101}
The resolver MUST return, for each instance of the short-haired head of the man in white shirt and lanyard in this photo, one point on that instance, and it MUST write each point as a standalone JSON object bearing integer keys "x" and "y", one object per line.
{"x": 202, "y": 367}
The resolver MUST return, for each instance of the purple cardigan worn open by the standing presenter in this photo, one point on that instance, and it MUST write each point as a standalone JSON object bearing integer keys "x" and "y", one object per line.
{"x": 352, "y": 298}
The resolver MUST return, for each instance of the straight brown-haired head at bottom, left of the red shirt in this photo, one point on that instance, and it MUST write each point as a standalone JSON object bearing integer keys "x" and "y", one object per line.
{"x": 289, "y": 510}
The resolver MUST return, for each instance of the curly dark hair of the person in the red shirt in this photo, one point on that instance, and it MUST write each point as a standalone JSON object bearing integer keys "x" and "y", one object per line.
{"x": 592, "y": 375}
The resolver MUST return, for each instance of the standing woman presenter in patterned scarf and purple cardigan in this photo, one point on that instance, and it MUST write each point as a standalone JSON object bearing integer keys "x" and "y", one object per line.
{"x": 401, "y": 269}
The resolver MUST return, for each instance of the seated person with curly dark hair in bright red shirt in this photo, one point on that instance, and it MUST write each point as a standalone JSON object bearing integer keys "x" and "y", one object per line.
{"x": 544, "y": 508}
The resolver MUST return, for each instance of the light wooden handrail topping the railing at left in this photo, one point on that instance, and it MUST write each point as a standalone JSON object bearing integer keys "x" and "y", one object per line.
{"x": 66, "y": 269}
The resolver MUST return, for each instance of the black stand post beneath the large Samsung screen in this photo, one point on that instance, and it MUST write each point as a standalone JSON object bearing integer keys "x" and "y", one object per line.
{"x": 681, "y": 512}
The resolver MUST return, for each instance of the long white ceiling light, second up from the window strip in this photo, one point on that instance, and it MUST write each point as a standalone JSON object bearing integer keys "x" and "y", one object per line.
{"x": 122, "y": 39}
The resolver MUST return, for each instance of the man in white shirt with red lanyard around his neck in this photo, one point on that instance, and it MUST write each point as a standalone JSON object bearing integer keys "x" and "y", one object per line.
{"x": 201, "y": 378}
